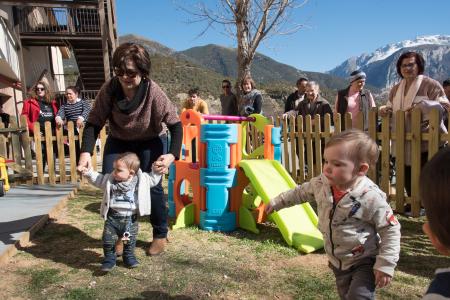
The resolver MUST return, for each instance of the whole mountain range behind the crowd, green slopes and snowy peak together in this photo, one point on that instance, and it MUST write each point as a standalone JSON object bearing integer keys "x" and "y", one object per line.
{"x": 206, "y": 66}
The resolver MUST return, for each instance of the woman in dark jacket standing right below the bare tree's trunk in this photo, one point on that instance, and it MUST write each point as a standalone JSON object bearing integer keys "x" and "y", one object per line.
{"x": 251, "y": 98}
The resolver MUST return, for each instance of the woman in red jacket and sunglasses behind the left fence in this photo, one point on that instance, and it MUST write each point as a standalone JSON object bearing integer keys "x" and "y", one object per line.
{"x": 40, "y": 107}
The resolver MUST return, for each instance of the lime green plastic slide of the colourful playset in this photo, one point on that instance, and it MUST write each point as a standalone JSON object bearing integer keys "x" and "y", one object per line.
{"x": 298, "y": 224}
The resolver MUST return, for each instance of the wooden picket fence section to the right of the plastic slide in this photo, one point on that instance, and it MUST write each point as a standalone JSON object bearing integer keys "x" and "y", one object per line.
{"x": 310, "y": 138}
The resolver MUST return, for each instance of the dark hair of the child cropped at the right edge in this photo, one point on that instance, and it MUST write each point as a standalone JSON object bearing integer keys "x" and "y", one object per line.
{"x": 434, "y": 194}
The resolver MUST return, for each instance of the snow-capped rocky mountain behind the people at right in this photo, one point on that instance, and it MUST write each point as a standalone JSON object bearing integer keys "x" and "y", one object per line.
{"x": 380, "y": 65}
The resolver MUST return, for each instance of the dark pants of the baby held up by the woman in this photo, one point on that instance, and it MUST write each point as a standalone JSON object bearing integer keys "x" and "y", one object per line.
{"x": 115, "y": 226}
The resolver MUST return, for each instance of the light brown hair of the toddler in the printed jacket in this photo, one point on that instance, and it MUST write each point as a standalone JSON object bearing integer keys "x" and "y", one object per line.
{"x": 363, "y": 147}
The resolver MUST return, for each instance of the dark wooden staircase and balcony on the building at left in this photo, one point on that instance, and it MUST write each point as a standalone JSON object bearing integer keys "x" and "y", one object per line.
{"x": 86, "y": 27}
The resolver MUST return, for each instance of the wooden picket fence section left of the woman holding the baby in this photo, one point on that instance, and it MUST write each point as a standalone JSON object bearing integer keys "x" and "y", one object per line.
{"x": 25, "y": 157}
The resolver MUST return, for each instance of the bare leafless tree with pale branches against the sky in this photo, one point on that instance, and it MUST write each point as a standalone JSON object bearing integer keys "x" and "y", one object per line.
{"x": 249, "y": 22}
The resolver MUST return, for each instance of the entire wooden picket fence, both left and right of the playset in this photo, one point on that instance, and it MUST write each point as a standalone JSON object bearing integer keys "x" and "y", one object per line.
{"x": 301, "y": 137}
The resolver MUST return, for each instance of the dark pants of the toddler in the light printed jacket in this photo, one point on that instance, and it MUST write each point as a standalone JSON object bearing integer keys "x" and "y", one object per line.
{"x": 358, "y": 282}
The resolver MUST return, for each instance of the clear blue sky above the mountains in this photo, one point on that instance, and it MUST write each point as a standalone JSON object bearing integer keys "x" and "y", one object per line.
{"x": 335, "y": 29}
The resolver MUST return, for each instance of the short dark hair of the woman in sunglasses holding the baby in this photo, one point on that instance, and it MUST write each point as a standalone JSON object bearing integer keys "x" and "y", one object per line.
{"x": 134, "y": 52}
